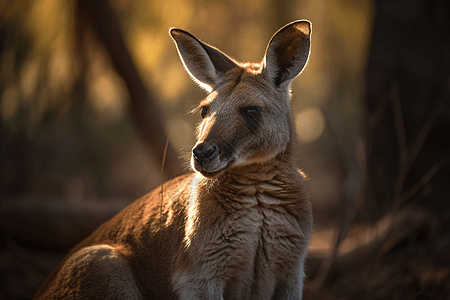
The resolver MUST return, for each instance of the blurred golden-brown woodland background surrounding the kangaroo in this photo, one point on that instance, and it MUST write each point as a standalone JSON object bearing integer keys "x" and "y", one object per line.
{"x": 90, "y": 93}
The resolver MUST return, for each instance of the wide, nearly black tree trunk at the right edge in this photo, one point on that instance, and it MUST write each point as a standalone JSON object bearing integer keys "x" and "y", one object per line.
{"x": 408, "y": 106}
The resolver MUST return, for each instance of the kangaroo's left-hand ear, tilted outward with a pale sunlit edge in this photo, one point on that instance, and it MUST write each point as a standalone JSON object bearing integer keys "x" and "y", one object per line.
{"x": 204, "y": 63}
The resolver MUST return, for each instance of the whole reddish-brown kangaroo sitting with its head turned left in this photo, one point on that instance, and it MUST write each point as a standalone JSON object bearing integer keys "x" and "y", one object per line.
{"x": 236, "y": 228}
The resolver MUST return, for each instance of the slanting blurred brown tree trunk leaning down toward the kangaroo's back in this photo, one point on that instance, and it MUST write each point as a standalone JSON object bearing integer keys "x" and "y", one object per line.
{"x": 144, "y": 109}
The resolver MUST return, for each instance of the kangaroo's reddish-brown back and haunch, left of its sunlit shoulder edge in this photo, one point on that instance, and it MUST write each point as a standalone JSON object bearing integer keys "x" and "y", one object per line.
{"x": 143, "y": 237}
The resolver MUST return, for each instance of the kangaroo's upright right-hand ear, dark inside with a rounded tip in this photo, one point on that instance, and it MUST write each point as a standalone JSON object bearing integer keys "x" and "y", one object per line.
{"x": 288, "y": 51}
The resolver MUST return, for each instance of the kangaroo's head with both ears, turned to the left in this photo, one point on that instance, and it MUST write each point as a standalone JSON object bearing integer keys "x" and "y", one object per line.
{"x": 246, "y": 115}
